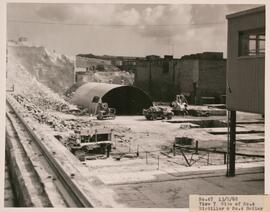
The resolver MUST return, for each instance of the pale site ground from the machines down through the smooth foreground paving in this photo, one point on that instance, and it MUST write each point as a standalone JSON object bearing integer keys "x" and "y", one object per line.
{"x": 150, "y": 174}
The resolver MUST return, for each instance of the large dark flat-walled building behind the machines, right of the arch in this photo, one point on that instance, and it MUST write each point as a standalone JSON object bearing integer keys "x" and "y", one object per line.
{"x": 201, "y": 77}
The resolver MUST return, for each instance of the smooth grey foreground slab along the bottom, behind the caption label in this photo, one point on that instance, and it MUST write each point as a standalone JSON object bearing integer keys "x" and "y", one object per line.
{"x": 175, "y": 193}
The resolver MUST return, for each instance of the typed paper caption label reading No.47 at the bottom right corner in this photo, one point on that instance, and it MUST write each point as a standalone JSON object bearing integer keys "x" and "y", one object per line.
{"x": 224, "y": 203}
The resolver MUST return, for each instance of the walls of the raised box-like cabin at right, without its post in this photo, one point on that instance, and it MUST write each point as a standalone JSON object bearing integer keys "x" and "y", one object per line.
{"x": 245, "y": 73}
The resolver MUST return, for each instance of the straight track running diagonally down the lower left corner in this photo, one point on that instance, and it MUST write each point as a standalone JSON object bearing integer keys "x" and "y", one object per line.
{"x": 65, "y": 190}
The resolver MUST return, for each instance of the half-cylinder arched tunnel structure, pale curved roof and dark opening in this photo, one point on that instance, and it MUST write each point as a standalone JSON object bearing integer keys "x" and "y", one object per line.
{"x": 127, "y": 100}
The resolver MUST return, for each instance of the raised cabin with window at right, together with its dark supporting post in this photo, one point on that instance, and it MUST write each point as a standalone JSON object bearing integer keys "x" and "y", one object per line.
{"x": 245, "y": 70}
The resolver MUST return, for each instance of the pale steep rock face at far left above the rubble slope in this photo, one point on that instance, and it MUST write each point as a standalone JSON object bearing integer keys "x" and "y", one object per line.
{"x": 51, "y": 69}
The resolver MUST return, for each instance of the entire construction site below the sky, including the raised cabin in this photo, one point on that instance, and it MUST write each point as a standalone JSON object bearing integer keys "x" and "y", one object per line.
{"x": 88, "y": 133}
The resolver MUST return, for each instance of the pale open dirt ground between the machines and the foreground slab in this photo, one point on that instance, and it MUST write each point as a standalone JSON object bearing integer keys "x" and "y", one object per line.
{"x": 147, "y": 145}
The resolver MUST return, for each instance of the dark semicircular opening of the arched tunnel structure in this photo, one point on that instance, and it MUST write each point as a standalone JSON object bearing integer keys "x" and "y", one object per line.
{"x": 127, "y": 100}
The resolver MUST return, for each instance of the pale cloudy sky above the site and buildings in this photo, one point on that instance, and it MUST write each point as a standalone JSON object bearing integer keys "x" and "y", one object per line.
{"x": 122, "y": 29}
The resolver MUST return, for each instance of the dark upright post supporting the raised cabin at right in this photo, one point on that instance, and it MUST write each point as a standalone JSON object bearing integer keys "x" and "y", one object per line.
{"x": 231, "y": 170}
